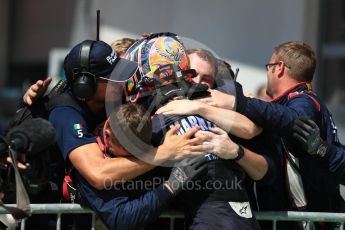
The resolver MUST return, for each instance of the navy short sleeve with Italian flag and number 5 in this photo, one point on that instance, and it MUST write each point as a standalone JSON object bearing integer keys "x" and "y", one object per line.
{"x": 72, "y": 130}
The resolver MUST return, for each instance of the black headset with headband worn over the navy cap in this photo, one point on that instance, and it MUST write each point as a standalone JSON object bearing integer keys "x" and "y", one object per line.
{"x": 83, "y": 82}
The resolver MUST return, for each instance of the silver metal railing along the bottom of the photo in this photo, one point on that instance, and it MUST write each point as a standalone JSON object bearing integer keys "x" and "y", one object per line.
{"x": 309, "y": 217}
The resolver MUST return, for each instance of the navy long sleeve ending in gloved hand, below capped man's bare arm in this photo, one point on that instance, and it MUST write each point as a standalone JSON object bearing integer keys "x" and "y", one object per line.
{"x": 119, "y": 211}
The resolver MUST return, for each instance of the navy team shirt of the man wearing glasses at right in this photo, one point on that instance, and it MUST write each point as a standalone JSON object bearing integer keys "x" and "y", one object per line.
{"x": 321, "y": 183}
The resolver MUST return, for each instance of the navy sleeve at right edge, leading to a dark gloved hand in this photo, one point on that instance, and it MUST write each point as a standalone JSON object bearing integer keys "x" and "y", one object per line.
{"x": 335, "y": 162}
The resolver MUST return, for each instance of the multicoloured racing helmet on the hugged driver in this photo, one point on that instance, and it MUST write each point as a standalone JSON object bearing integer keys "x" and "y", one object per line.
{"x": 163, "y": 69}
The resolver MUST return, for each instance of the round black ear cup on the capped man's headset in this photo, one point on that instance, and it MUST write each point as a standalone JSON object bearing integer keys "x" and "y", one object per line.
{"x": 84, "y": 86}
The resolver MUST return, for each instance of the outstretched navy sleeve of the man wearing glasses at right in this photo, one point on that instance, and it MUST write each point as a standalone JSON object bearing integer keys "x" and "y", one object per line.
{"x": 279, "y": 118}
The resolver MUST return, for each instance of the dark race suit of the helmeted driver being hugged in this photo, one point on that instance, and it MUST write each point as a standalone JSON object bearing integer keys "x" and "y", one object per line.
{"x": 223, "y": 181}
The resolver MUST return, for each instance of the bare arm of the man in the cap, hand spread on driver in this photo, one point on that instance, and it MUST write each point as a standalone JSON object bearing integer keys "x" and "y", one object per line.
{"x": 100, "y": 173}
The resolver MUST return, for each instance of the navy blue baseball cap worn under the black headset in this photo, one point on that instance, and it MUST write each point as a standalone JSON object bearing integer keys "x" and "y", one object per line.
{"x": 102, "y": 62}
